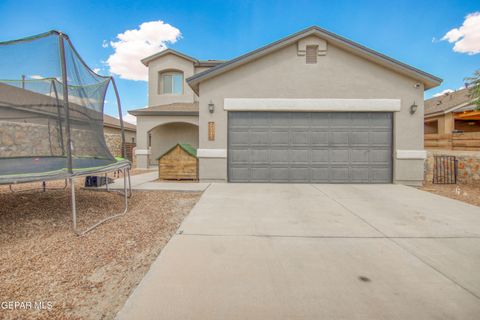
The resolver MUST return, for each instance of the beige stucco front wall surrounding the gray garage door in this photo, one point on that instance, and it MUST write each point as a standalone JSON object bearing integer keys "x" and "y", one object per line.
{"x": 338, "y": 74}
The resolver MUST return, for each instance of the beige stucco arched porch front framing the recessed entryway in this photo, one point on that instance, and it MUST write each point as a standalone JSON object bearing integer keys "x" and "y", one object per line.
{"x": 145, "y": 124}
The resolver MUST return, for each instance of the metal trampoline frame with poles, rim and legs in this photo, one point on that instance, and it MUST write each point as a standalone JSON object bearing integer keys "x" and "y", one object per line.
{"x": 70, "y": 174}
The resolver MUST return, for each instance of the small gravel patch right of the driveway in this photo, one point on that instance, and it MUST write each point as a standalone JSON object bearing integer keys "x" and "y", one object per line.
{"x": 463, "y": 192}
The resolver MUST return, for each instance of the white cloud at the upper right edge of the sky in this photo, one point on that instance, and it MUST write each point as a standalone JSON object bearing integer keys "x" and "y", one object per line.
{"x": 466, "y": 37}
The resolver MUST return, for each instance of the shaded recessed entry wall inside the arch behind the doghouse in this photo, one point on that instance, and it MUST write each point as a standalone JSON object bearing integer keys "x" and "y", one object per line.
{"x": 166, "y": 136}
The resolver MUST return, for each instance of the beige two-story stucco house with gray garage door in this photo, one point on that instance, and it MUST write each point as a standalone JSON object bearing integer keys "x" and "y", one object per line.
{"x": 311, "y": 107}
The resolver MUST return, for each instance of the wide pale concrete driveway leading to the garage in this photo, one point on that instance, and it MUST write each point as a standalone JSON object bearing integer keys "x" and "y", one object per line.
{"x": 285, "y": 251}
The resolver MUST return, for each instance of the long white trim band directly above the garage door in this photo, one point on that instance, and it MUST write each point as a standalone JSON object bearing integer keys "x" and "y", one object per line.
{"x": 312, "y": 105}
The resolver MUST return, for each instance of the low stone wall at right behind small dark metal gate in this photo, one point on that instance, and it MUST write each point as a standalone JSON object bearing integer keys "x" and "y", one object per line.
{"x": 468, "y": 164}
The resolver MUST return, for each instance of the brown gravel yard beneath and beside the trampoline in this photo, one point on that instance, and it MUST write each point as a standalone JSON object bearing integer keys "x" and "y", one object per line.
{"x": 88, "y": 277}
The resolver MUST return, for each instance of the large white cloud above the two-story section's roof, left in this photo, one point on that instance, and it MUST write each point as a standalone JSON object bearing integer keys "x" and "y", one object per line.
{"x": 133, "y": 45}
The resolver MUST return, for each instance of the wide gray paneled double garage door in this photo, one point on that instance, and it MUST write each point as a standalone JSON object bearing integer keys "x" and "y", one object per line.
{"x": 317, "y": 147}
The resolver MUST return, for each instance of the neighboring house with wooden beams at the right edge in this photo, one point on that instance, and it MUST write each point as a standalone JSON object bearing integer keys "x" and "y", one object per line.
{"x": 452, "y": 121}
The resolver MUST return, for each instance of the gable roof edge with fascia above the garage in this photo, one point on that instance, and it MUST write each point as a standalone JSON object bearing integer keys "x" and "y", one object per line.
{"x": 429, "y": 80}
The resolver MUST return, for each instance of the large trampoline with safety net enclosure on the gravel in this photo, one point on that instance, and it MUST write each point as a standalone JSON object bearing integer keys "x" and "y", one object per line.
{"x": 51, "y": 117}
